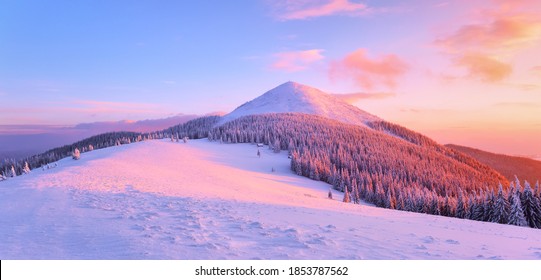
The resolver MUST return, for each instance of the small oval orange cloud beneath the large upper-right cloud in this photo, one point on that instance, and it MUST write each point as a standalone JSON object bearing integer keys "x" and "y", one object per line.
{"x": 485, "y": 68}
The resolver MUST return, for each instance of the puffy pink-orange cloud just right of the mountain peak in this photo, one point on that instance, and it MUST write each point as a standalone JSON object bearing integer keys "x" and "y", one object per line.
{"x": 369, "y": 72}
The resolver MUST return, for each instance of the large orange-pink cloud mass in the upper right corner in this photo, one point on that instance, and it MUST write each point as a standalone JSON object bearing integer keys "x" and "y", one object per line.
{"x": 486, "y": 47}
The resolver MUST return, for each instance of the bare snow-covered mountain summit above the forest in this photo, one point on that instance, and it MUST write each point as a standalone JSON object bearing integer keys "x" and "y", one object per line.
{"x": 293, "y": 97}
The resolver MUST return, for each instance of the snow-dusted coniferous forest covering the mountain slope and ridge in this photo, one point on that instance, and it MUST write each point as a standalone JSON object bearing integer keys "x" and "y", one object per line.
{"x": 384, "y": 164}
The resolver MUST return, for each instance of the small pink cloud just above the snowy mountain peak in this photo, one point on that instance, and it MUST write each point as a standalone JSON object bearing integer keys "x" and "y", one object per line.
{"x": 296, "y": 60}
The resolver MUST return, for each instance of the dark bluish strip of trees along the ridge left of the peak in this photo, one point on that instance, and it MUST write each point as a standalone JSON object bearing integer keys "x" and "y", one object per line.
{"x": 197, "y": 128}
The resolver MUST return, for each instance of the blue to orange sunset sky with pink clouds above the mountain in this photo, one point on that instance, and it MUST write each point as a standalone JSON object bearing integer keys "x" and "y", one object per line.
{"x": 462, "y": 72}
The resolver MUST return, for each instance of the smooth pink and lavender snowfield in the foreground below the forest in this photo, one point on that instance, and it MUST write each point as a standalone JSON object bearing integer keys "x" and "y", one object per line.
{"x": 204, "y": 200}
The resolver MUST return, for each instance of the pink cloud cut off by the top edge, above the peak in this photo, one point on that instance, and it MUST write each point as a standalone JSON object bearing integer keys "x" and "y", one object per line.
{"x": 305, "y": 9}
